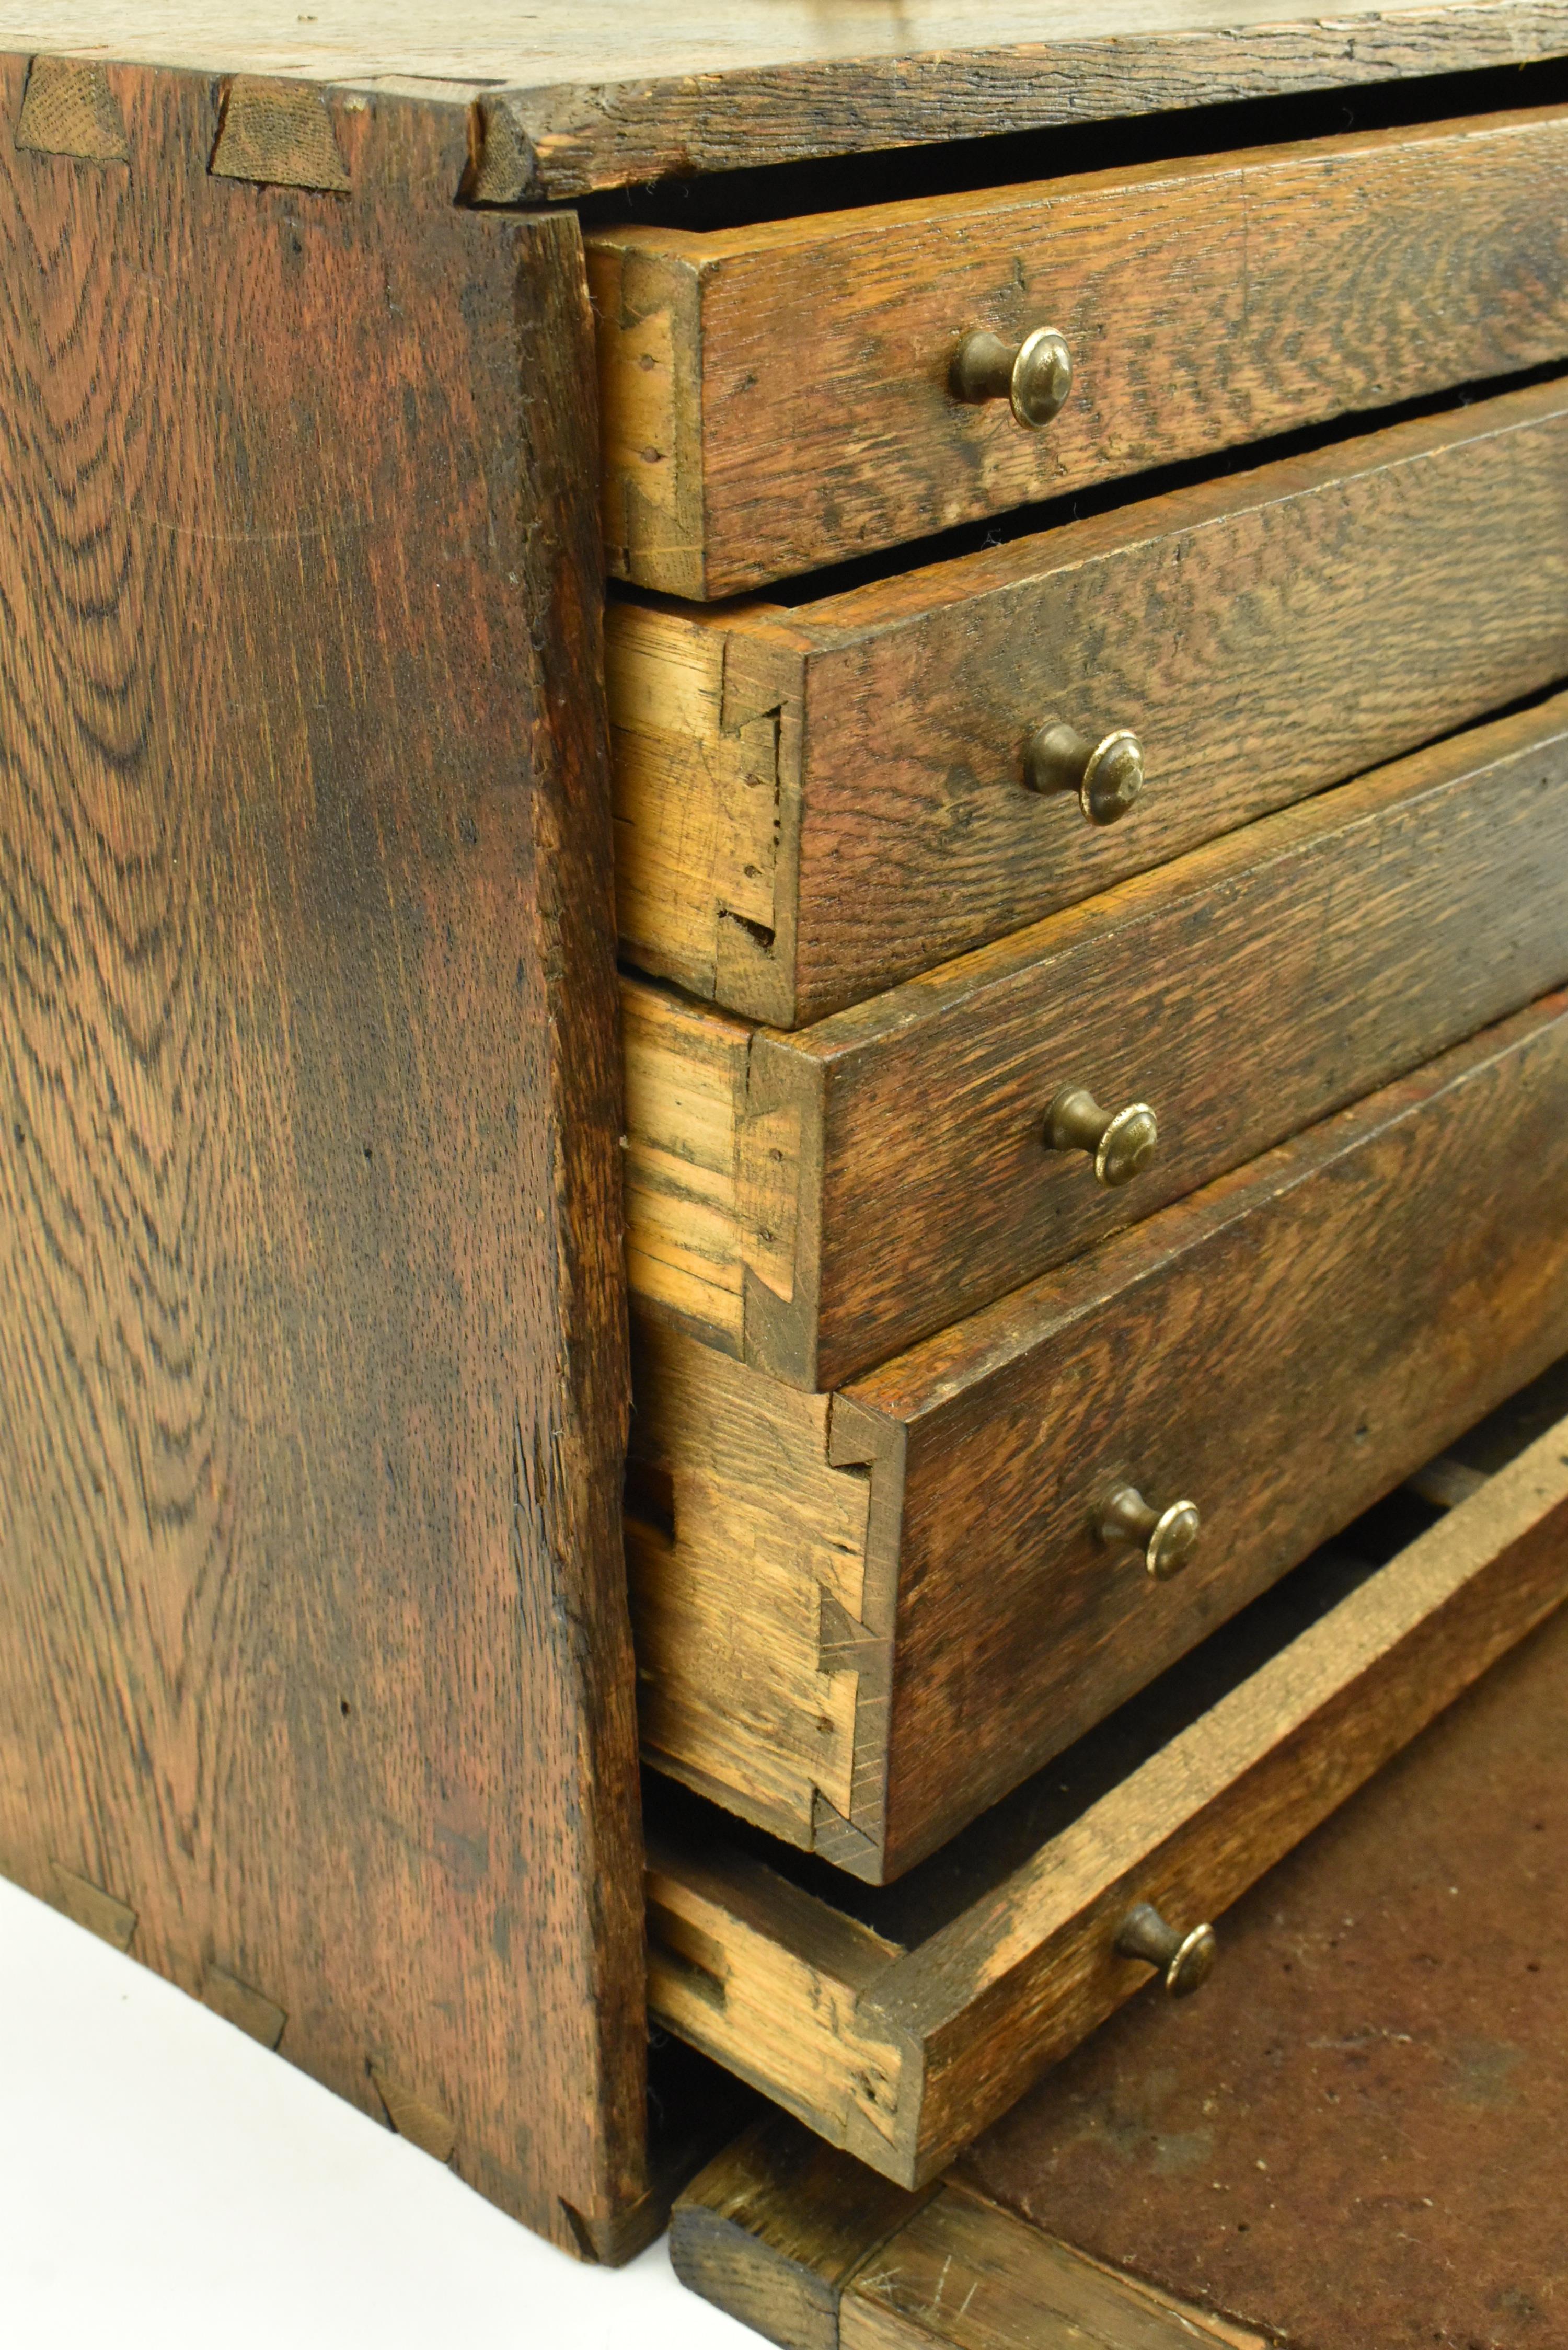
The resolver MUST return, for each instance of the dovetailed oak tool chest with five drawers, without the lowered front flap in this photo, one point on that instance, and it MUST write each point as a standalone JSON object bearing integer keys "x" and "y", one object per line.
{"x": 784, "y": 915}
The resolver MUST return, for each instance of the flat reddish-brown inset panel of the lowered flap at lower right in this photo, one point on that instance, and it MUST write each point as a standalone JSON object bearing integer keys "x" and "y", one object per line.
{"x": 1353, "y": 2147}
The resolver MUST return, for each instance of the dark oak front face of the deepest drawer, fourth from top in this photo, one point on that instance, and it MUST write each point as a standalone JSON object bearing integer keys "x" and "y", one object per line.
{"x": 1282, "y": 1348}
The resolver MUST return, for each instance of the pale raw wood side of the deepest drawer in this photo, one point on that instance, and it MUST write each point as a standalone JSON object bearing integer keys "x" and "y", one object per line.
{"x": 770, "y": 1536}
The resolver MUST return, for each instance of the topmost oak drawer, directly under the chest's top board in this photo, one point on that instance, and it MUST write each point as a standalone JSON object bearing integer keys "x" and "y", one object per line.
{"x": 784, "y": 396}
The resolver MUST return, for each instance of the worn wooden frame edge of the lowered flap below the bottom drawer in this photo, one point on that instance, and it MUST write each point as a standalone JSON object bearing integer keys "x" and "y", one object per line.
{"x": 817, "y": 2252}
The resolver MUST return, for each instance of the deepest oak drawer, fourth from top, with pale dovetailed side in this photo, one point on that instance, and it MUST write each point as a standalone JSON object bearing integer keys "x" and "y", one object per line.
{"x": 864, "y": 1618}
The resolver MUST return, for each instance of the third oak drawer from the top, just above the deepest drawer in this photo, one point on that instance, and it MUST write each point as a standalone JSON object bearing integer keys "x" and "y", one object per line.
{"x": 815, "y": 1202}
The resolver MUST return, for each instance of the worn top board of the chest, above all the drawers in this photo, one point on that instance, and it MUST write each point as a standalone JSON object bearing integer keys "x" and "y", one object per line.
{"x": 577, "y": 98}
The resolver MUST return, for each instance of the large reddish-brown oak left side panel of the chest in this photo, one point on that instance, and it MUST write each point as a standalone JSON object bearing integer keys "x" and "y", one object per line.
{"x": 314, "y": 1646}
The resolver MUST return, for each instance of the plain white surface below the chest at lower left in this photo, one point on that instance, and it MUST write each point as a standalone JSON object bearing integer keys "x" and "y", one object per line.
{"x": 166, "y": 2182}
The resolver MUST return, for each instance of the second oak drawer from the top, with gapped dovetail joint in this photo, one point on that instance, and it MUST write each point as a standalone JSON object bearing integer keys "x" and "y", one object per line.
{"x": 815, "y": 805}
